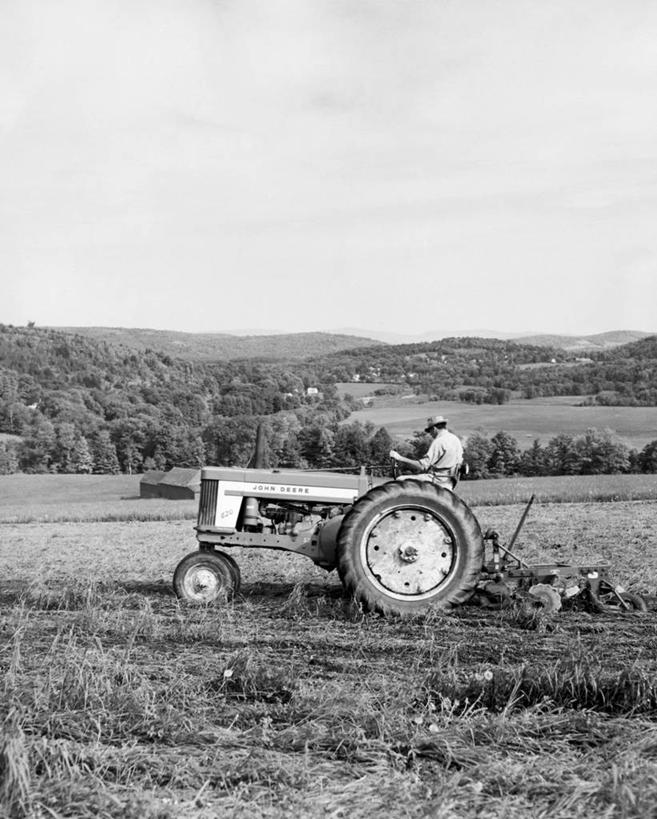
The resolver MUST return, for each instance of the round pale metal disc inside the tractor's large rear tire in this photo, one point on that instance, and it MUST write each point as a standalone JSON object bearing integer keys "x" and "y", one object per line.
{"x": 409, "y": 552}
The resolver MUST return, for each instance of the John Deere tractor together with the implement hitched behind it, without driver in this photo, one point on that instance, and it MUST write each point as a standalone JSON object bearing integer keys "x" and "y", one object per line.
{"x": 400, "y": 546}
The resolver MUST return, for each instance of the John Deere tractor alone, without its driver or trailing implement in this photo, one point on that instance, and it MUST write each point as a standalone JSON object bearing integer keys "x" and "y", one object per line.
{"x": 399, "y": 547}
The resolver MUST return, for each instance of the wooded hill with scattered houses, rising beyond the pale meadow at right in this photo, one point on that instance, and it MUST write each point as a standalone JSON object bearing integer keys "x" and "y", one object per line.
{"x": 484, "y": 370}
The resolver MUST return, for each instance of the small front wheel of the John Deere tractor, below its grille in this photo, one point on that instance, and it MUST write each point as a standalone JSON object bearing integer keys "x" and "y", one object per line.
{"x": 203, "y": 577}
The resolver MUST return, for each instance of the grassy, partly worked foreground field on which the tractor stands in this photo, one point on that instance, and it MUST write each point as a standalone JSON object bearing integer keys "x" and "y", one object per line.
{"x": 118, "y": 701}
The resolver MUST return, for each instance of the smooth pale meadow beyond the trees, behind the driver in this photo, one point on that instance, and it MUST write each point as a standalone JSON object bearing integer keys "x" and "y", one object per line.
{"x": 527, "y": 421}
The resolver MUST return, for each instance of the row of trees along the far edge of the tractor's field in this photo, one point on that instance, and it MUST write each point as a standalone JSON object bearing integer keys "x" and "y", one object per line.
{"x": 321, "y": 441}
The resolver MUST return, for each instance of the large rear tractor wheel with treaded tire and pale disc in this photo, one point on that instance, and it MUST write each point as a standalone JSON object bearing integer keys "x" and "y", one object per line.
{"x": 409, "y": 546}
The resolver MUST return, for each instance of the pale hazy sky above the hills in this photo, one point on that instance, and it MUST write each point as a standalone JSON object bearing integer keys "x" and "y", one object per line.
{"x": 406, "y": 165}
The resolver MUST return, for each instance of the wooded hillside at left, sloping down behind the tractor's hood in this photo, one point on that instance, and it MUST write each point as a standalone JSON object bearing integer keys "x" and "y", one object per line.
{"x": 77, "y": 401}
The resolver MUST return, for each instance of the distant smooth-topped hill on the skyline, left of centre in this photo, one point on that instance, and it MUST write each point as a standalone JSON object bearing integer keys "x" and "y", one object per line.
{"x": 222, "y": 346}
